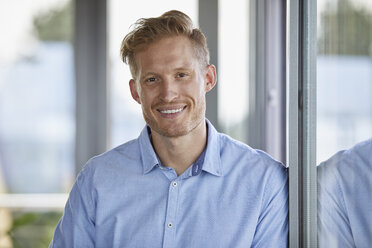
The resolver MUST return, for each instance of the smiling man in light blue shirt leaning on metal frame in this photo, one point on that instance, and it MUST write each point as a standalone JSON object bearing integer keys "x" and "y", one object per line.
{"x": 181, "y": 183}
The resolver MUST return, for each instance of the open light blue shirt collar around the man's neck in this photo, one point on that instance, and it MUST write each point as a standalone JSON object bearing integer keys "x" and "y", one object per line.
{"x": 211, "y": 155}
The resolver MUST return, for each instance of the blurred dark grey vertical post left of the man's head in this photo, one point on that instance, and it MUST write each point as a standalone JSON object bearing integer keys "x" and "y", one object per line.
{"x": 91, "y": 80}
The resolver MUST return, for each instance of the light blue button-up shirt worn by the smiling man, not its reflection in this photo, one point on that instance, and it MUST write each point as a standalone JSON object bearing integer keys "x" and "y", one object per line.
{"x": 237, "y": 197}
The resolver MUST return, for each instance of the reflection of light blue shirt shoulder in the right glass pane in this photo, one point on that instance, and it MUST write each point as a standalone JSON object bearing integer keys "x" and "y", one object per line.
{"x": 345, "y": 198}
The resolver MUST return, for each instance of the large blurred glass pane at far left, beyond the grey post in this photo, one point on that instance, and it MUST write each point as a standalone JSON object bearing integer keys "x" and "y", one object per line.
{"x": 36, "y": 96}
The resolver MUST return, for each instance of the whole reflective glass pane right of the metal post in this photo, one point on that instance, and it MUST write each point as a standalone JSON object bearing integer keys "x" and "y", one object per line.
{"x": 344, "y": 123}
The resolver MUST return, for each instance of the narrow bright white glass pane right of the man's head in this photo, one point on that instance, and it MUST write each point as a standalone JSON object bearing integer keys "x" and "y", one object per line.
{"x": 233, "y": 68}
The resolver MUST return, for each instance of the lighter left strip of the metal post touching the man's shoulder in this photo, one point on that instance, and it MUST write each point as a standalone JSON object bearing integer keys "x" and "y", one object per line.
{"x": 292, "y": 122}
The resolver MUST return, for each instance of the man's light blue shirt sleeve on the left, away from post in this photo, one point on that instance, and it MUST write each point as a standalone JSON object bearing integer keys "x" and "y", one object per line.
{"x": 76, "y": 227}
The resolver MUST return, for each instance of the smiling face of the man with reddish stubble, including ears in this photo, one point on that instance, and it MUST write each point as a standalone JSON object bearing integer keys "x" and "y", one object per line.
{"x": 171, "y": 86}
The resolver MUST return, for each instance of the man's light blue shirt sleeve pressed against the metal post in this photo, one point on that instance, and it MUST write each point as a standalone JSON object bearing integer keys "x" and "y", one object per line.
{"x": 272, "y": 227}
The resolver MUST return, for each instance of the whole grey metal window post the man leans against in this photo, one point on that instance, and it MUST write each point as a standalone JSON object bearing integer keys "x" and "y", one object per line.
{"x": 301, "y": 121}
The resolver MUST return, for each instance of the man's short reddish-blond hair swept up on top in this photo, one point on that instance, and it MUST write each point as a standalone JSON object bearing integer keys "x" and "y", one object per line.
{"x": 149, "y": 30}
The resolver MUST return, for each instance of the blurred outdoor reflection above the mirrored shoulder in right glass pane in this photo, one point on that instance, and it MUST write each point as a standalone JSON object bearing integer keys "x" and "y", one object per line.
{"x": 344, "y": 75}
